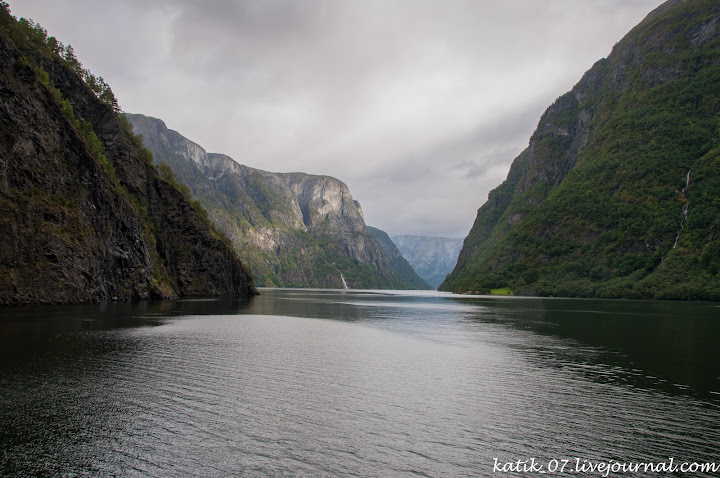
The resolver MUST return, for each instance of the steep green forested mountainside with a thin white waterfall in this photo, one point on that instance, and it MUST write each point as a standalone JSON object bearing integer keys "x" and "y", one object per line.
{"x": 618, "y": 192}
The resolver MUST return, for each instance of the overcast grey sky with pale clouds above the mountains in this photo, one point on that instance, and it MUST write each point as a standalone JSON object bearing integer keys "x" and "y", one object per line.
{"x": 418, "y": 105}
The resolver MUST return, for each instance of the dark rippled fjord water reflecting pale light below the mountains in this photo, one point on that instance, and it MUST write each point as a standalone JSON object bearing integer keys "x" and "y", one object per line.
{"x": 335, "y": 383}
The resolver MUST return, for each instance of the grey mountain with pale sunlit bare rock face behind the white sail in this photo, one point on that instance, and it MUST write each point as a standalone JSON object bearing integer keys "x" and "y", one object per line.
{"x": 292, "y": 229}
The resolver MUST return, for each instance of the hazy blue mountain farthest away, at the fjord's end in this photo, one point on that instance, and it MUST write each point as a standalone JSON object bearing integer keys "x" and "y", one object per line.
{"x": 431, "y": 257}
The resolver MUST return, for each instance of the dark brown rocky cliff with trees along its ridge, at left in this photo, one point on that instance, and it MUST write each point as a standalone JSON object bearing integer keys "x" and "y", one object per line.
{"x": 83, "y": 215}
